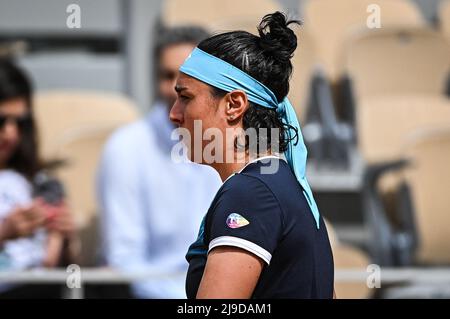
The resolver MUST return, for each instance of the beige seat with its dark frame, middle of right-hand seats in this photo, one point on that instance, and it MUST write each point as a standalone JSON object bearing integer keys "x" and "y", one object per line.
{"x": 384, "y": 124}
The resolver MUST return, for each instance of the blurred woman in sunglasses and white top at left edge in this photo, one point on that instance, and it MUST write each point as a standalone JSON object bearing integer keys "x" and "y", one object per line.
{"x": 34, "y": 231}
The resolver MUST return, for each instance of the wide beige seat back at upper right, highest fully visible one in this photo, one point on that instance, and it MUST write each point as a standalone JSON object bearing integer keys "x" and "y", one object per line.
{"x": 397, "y": 61}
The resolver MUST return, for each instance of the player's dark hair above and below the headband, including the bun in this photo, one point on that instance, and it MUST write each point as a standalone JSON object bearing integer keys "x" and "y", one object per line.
{"x": 267, "y": 59}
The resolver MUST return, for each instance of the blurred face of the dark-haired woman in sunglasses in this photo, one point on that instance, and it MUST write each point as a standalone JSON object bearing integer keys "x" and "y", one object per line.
{"x": 12, "y": 114}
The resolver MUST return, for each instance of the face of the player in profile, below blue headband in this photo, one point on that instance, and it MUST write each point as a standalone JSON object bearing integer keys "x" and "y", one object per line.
{"x": 195, "y": 105}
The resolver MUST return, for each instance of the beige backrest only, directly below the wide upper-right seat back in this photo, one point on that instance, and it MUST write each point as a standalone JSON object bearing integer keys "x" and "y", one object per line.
{"x": 384, "y": 122}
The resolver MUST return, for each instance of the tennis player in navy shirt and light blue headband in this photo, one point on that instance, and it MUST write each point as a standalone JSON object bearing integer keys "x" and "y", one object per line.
{"x": 263, "y": 236}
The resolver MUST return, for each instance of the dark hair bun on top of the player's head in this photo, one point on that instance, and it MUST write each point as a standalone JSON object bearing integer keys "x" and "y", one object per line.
{"x": 276, "y": 38}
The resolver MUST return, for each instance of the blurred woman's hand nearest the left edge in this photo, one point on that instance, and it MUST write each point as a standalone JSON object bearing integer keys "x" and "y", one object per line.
{"x": 22, "y": 222}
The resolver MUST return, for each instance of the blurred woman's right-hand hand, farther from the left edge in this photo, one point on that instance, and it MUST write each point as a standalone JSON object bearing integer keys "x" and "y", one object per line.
{"x": 60, "y": 219}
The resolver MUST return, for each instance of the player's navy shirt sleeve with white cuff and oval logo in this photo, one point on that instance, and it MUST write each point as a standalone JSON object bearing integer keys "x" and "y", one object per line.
{"x": 247, "y": 215}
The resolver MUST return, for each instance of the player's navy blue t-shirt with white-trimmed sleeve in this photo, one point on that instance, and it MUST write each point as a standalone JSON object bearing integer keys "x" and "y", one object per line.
{"x": 267, "y": 215}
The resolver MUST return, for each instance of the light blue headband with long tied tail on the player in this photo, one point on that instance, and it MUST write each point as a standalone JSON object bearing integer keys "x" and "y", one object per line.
{"x": 222, "y": 75}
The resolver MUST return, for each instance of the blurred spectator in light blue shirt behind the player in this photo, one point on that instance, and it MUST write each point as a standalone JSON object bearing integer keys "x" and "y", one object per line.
{"x": 151, "y": 206}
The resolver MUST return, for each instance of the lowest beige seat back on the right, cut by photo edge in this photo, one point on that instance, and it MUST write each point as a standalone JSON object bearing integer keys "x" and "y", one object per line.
{"x": 428, "y": 177}
